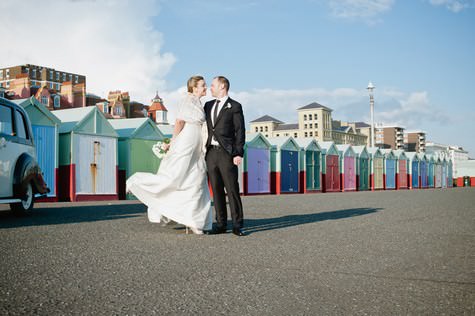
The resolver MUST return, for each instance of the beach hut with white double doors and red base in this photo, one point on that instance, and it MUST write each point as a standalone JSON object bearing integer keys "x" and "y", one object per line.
{"x": 88, "y": 167}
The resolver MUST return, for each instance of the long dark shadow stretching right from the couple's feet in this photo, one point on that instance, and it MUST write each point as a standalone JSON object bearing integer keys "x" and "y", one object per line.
{"x": 260, "y": 225}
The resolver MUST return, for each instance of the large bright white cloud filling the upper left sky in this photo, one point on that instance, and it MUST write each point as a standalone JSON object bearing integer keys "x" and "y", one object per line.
{"x": 111, "y": 42}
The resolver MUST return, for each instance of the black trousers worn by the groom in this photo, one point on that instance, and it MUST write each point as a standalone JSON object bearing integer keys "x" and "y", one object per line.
{"x": 223, "y": 173}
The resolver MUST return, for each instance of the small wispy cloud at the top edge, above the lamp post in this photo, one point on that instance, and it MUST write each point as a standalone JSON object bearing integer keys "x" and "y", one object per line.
{"x": 360, "y": 9}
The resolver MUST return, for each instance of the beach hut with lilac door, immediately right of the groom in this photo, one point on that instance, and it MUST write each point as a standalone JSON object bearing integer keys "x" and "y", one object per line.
{"x": 256, "y": 165}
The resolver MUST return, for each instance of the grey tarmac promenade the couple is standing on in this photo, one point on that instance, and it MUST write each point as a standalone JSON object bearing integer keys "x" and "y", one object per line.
{"x": 362, "y": 253}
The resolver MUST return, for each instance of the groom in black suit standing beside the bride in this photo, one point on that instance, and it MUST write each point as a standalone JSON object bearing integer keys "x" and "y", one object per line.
{"x": 225, "y": 149}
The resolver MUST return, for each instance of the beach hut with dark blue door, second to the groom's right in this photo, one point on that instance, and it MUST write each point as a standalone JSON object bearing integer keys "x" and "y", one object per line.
{"x": 285, "y": 174}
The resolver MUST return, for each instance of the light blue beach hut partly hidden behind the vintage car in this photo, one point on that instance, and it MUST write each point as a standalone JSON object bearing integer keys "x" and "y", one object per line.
{"x": 45, "y": 128}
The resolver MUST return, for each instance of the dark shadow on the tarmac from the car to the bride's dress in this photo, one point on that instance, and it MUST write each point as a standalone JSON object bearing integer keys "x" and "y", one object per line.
{"x": 71, "y": 214}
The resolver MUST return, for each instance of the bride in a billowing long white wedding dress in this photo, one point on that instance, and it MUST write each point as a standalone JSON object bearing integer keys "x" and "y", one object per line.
{"x": 179, "y": 190}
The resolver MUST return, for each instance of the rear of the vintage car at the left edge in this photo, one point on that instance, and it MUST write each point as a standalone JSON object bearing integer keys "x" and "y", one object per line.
{"x": 20, "y": 176}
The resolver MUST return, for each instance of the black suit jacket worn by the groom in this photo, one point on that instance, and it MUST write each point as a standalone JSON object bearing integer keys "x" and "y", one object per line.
{"x": 229, "y": 129}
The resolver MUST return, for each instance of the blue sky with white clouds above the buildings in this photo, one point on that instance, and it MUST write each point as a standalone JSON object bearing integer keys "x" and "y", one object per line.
{"x": 278, "y": 55}
